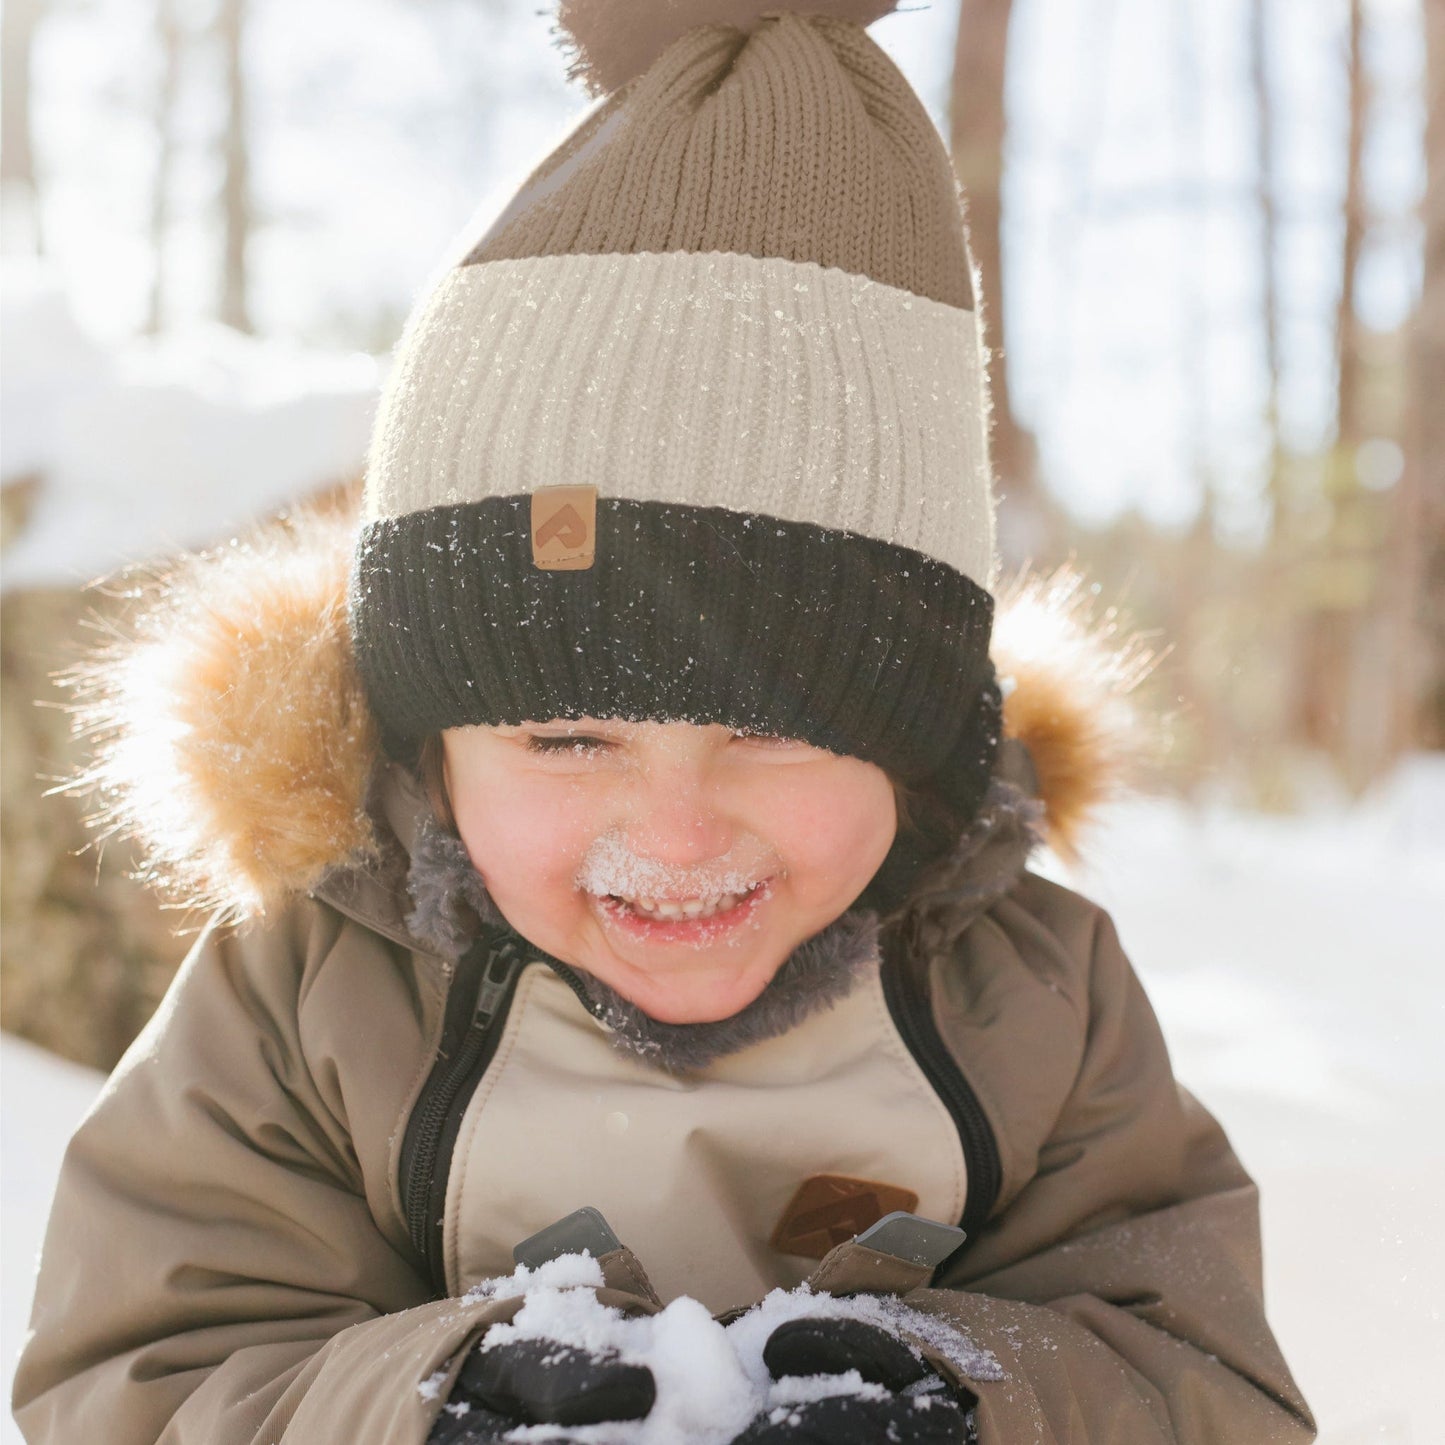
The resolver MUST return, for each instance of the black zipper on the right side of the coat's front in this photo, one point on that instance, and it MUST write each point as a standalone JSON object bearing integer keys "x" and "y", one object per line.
{"x": 914, "y": 1018}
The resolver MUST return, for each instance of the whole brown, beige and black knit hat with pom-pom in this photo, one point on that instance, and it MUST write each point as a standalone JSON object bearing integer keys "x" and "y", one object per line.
{"x": 699, "y": 430}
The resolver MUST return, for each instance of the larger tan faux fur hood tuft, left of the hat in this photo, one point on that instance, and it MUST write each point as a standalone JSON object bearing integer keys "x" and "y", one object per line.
{"x": 230, "y": 732}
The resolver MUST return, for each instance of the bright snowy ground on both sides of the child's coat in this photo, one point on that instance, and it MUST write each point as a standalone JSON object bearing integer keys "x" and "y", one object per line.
{"x": 1297, "y": 967}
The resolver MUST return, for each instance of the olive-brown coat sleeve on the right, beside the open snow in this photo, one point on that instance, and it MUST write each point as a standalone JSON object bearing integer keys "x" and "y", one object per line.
{"x": 1122, "y": 1290}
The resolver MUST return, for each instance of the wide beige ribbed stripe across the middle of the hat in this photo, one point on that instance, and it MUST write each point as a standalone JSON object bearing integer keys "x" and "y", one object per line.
{"x": 707, "y": 379}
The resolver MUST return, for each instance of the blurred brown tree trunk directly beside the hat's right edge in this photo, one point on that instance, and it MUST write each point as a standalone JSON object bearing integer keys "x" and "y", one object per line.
{"x": 1028, "y": 522}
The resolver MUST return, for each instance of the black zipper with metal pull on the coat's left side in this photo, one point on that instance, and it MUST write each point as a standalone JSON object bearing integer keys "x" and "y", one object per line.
{"x": 478, "y": 1005}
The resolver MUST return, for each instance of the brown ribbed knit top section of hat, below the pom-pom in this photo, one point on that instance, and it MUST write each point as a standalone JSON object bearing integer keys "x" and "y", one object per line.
{"x": 801, "y": 141}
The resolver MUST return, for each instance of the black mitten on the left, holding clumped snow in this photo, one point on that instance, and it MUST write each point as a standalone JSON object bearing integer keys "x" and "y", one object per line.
{"x": 540, "y": 1382}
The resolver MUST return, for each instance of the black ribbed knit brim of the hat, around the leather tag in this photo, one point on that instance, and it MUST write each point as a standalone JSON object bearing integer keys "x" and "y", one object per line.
{"x": 689, "y": 613}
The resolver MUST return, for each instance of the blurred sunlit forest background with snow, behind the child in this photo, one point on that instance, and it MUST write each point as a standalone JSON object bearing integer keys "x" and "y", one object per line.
{"x": 1212, "y": 236}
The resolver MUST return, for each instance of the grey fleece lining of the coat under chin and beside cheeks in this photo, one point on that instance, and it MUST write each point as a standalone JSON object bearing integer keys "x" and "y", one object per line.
{"x": 450, "y": 902}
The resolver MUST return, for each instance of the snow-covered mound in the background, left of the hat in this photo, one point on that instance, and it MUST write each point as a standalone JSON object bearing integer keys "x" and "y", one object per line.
{"x": 163, "y": 444}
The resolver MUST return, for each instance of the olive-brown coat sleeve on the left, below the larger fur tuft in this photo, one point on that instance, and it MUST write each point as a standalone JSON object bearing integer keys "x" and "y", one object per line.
{"x": 213, "y": 1272}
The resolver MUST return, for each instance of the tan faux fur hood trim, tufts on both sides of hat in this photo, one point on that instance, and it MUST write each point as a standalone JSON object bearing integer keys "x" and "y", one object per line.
{"x": 232, "y": 736}
